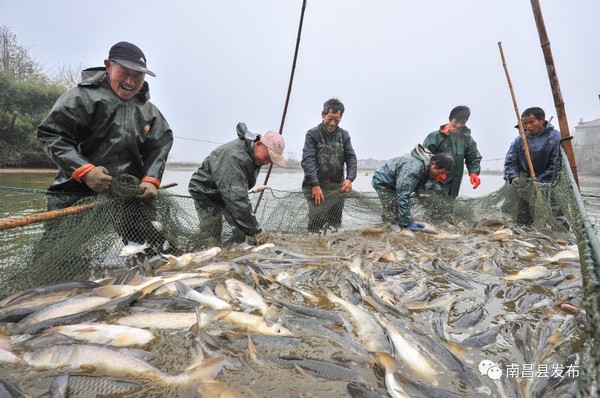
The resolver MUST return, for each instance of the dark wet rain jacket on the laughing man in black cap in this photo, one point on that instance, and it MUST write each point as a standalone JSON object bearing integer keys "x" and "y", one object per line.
{"x": 91, "y": 124}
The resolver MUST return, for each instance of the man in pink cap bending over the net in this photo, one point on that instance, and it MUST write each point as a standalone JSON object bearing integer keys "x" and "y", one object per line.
{"x": 220, "y": 185}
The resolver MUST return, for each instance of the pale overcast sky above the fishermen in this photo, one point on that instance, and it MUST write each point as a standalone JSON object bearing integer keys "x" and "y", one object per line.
{"x": 398, "y": 66}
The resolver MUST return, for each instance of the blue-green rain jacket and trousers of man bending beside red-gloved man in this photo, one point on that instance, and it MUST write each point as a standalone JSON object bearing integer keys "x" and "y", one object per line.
{"x": 404, "y": 175}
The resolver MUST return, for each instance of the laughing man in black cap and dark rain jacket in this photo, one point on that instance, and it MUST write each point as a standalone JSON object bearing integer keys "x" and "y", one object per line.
{"x": 106, "y": 127}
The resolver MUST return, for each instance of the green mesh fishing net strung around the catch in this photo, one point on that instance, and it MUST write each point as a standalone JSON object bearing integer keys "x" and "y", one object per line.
{"x": 87, "y": 244}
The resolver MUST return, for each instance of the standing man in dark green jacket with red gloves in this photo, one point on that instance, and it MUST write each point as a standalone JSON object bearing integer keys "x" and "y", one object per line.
{"x": 455, "y": 138}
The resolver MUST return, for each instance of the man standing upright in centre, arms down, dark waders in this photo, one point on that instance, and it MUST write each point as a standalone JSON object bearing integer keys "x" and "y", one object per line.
{"x": 327, "y": 148}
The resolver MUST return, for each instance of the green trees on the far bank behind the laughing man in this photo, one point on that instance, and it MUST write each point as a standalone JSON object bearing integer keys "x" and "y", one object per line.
{"x": 26, "y": 96}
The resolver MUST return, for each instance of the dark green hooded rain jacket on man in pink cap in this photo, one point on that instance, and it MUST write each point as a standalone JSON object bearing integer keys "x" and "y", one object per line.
{"x": 224, "y": 179}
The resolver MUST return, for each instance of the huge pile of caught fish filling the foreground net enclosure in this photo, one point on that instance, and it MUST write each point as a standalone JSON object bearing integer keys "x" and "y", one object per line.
{"x": 485, "y": 310}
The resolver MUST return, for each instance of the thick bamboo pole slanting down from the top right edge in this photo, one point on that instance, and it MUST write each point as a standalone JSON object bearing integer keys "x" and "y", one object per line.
{"x": 556, "y": 93}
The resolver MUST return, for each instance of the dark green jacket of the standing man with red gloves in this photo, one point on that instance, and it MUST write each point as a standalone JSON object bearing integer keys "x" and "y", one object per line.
{"x": 463, "y": 149}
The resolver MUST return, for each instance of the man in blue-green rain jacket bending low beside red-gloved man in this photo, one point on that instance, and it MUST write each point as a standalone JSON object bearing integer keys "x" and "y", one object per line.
{"x": 399, "y": 178}
